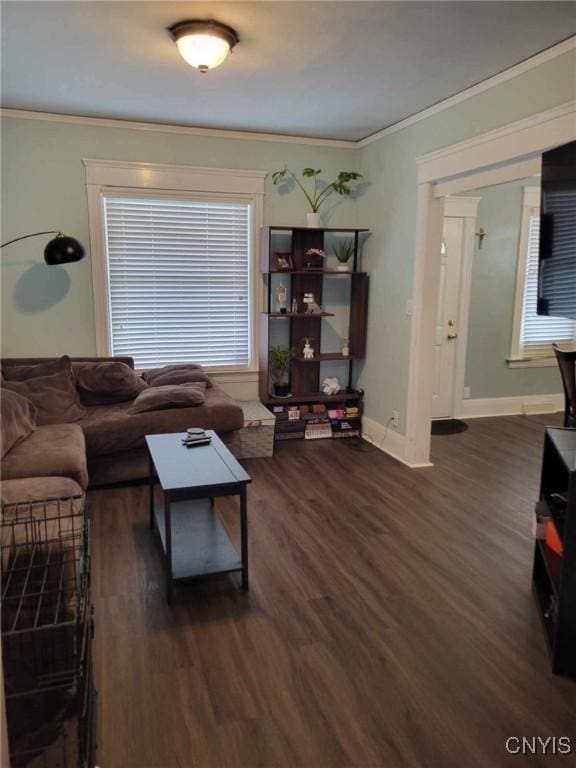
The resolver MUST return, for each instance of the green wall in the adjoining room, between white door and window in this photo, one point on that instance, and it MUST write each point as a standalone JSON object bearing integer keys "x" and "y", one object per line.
{"x": 492, "y": 301}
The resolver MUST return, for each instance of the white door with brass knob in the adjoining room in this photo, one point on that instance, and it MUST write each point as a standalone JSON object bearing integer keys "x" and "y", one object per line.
{"x": 446, "y": 337}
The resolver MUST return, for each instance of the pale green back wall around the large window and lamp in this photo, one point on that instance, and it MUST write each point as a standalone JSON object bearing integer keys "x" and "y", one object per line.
{"x": 49, "y": 311}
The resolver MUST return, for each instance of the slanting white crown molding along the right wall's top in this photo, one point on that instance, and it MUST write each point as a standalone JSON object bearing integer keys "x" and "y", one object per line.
{"x": 485, "y": 85}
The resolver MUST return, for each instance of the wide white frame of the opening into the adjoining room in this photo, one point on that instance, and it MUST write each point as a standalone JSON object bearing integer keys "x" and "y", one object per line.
{"x": 469, "y": 160}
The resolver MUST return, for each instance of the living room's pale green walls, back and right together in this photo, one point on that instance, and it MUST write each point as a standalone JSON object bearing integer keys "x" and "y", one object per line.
{"x": 50, "y": 311}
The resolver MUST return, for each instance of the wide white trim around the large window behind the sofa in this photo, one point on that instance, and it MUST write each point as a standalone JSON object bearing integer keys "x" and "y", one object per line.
{"x": 110, "y": 177}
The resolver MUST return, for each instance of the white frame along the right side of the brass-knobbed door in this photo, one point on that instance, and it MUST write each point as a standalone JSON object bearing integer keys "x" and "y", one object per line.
{"x": 463, "y": 208}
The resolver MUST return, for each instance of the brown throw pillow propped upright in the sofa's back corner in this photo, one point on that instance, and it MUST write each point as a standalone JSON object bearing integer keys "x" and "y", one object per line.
{"x": 55, "y": 397}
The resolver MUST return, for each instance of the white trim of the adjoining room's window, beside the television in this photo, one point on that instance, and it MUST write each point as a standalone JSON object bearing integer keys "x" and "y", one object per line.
{"x": 530, "y": 206}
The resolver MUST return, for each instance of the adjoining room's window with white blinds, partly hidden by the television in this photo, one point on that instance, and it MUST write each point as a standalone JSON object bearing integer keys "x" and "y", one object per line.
{"x": 533, "y": 334}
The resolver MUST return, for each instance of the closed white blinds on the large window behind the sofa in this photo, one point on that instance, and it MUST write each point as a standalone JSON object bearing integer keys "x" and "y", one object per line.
{"x": 179, "y": 280}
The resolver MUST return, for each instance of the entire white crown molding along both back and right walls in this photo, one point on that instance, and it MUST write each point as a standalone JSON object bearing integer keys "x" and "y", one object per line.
{"x": 189, "y": 130}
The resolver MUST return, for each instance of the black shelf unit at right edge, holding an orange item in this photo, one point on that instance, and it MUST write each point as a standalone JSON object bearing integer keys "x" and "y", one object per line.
{"x": 554, "y": 576}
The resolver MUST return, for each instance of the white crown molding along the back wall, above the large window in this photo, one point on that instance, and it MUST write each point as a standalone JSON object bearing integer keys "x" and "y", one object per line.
{"x": 183, "y": 130}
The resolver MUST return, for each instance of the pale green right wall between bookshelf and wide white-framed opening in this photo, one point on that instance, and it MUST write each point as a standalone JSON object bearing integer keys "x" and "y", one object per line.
{"x": 389, "y": 209}
